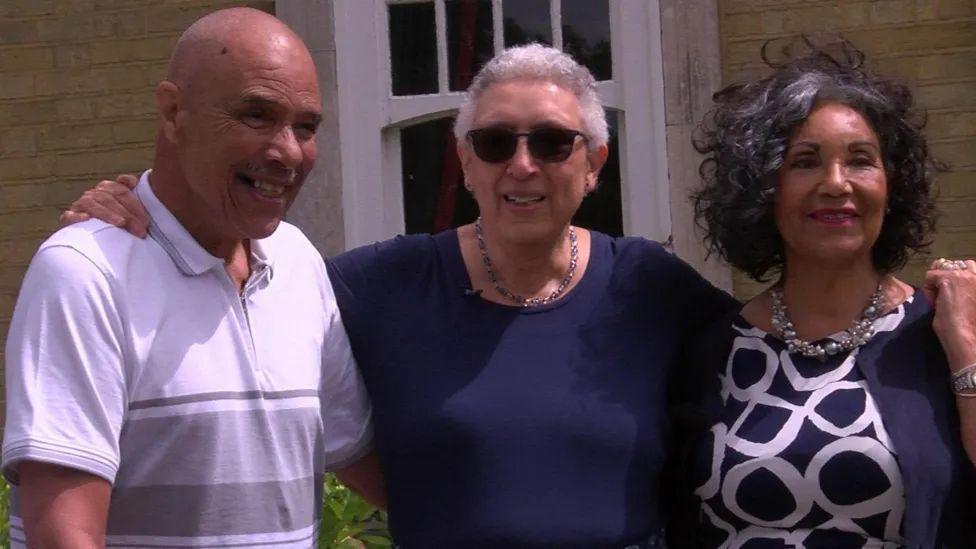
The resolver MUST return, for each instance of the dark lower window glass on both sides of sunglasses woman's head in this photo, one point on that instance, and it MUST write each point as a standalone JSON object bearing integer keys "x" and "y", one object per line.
{"x": 434, "y": 197}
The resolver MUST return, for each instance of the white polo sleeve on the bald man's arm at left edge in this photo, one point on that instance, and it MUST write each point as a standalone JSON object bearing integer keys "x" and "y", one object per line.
{"x": 66, "y": 391}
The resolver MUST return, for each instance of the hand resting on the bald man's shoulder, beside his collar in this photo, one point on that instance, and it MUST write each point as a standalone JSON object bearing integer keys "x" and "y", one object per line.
{"x": 112, "y": 202}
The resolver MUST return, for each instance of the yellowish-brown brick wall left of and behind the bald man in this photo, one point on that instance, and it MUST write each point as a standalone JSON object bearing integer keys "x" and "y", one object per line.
{"x": 76, "y": 81}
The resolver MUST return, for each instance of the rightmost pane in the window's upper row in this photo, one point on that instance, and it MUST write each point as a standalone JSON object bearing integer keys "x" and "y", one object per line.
{"x": 586, "y": 34}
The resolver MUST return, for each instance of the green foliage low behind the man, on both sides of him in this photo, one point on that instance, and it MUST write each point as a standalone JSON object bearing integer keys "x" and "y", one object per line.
{"x": 347, "y": 521}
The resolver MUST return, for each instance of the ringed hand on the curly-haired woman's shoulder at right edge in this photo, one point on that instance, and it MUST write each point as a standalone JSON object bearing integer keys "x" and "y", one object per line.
{"x": 951, "y": 286}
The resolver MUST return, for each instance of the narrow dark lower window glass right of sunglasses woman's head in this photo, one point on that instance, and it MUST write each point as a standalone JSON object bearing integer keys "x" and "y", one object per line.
{"x": 601, "y": 210}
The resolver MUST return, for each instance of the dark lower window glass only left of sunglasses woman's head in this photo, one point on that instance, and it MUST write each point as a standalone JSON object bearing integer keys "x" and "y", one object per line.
{"x": 434, "y": 197}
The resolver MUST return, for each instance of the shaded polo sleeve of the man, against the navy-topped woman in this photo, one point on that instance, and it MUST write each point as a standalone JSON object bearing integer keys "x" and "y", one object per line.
{"x": 346, "y": 410}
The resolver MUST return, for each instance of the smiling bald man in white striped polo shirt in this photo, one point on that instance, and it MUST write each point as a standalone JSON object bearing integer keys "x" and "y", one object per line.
{"x": 191, "y": 388}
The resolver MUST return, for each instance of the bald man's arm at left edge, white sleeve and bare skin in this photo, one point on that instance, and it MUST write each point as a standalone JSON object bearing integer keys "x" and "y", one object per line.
{"x": 65, "y": 399}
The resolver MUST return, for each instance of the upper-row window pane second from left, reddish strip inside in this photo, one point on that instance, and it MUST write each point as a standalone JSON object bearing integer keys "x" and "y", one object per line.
{"x": 470, "y": 39}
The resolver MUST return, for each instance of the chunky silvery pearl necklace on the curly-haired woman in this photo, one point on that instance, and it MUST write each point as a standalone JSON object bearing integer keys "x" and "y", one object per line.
{"x": 858, "y": 334}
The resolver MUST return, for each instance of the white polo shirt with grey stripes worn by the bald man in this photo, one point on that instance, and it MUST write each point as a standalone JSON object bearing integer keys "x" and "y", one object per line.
{"x": 213, "y": 414}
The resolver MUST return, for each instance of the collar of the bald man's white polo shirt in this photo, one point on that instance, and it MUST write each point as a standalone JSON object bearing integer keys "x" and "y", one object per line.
{"x": 190, "y": 258}
